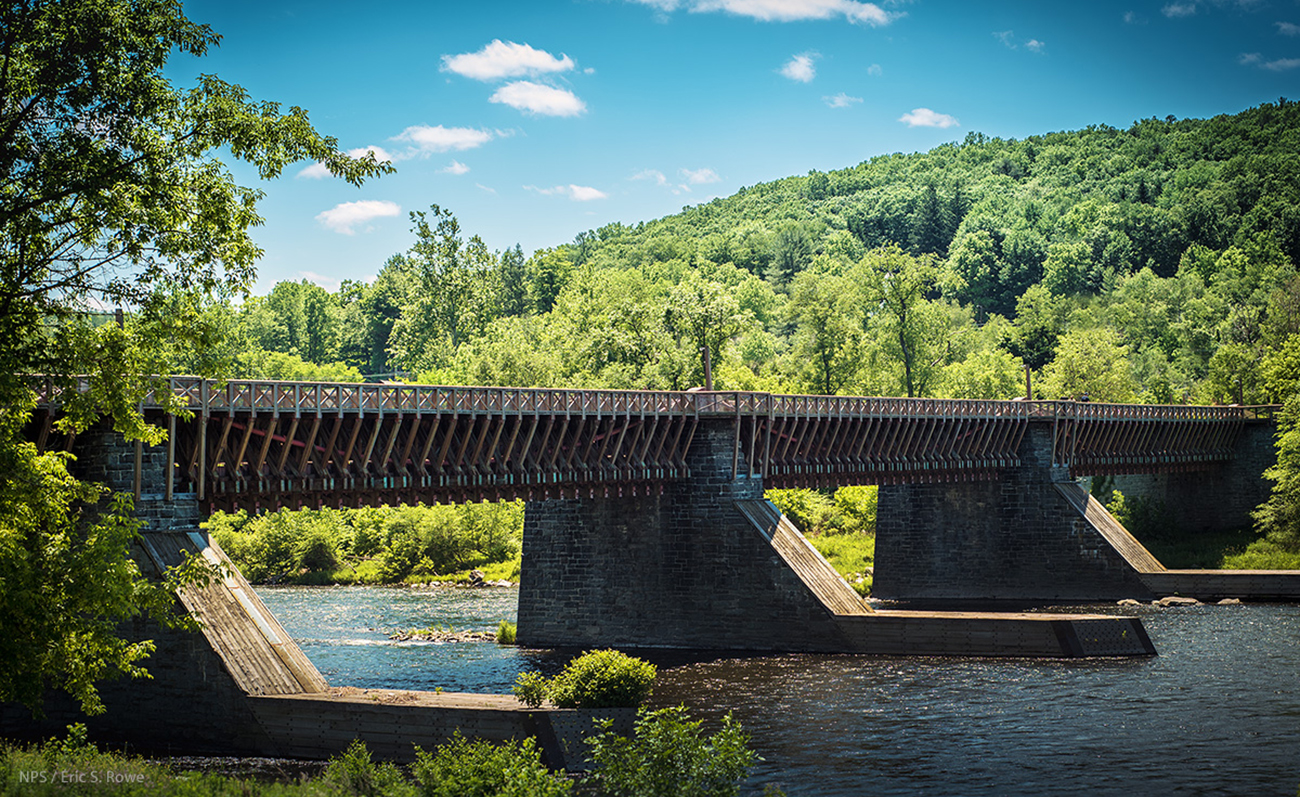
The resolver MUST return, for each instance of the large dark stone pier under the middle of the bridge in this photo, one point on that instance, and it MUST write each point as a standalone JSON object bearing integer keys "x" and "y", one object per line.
{"x": 682, "y": 569}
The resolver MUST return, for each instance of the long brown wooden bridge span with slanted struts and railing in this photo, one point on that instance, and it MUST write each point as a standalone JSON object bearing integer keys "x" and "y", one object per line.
{"x": 262, "y": 444}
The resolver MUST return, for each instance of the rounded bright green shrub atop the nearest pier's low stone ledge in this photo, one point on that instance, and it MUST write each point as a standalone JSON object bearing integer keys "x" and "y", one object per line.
{"x": 599, "y": 679}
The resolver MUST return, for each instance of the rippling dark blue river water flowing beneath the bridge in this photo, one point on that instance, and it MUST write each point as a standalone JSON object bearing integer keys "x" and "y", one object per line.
{"x": 1216, "y": 713}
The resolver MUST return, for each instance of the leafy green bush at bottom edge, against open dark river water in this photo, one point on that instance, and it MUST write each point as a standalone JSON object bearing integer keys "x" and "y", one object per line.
{"x": 670, "y": 755}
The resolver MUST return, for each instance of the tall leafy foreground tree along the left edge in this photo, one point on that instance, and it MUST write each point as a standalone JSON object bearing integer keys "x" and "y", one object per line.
{"x": 110, "y": 188}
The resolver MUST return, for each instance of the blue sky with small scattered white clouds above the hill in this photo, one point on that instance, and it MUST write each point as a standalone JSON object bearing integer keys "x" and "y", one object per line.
{"x": 535, "y": 122}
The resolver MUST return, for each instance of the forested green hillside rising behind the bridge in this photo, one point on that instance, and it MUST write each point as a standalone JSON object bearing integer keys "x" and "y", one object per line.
{"x": 1150, "y": 265}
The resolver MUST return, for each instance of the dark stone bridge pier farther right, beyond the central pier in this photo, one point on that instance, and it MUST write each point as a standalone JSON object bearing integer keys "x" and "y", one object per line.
{"x": 1019, "y": 539}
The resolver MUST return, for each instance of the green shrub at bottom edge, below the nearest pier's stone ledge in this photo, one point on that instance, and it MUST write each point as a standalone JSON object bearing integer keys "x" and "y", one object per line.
{"x": 480, "y": 769}
